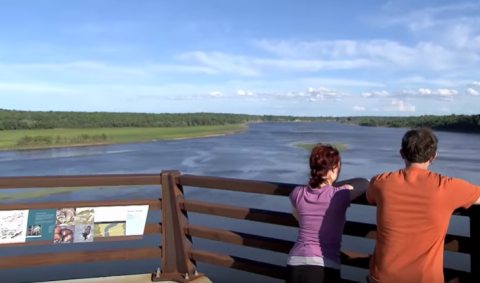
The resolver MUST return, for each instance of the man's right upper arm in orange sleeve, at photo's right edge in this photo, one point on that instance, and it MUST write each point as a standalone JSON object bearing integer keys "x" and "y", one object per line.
{"x": 460, "y": 193}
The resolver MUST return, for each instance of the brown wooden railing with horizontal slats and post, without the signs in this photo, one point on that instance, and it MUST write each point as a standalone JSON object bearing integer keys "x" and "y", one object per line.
{"x": 177, "y": 252}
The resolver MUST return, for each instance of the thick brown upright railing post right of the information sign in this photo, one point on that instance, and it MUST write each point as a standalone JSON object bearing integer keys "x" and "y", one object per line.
{"x": 176, "y": 264}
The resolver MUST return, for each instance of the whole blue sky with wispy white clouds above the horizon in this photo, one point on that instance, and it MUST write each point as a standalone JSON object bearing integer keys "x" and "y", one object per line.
{"x": 309, "y": 57}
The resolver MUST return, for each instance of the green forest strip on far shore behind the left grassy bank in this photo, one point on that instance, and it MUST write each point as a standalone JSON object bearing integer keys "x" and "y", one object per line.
{"x": 31, "y": 120}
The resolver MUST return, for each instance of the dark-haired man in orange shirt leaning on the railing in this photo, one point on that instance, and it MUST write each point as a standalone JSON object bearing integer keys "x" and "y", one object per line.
{"x": 414, "y": 206}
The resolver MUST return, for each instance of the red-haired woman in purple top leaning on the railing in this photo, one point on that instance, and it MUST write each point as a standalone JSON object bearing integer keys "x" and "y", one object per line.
{"x": 320, "y": 209}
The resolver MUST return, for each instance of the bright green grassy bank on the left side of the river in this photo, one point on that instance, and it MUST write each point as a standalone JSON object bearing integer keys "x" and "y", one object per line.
{"x": 31, "y": 139}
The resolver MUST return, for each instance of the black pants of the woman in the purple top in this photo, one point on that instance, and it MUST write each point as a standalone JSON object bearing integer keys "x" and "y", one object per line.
{"x": 312, "y": 274}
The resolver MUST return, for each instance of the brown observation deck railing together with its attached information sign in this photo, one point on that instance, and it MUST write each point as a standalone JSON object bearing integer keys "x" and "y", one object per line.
{"x": 176, "y": 249}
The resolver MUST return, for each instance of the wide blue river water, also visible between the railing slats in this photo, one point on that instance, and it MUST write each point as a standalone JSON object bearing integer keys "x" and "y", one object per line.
{"x": 264, "y": 152}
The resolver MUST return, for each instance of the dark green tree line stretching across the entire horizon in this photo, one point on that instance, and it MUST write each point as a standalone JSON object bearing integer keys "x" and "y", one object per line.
{"x": 24, "y": 120}
